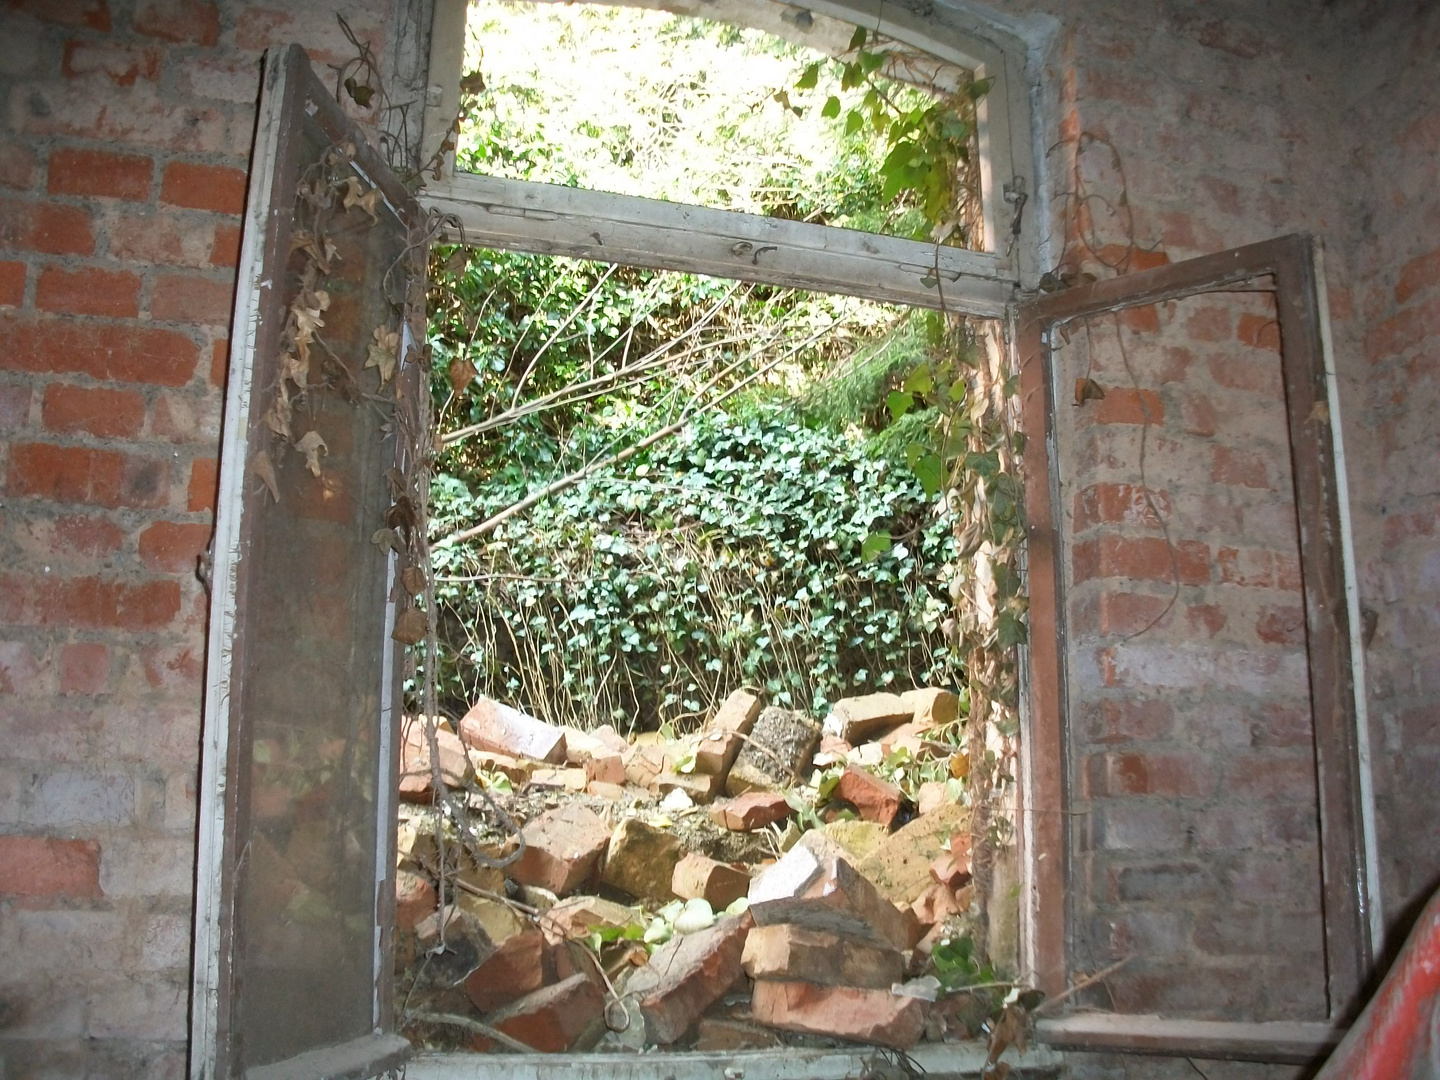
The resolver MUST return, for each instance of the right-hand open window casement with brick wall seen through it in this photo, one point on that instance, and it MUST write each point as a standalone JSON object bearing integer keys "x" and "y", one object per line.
{"x": 1193, "y": 809}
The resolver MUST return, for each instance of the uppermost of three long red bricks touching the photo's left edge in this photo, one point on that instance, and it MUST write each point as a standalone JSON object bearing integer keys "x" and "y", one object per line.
{"x": 122, "y": 354}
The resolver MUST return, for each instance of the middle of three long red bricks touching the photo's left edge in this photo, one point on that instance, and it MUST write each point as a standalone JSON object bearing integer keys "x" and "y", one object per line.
{"x": 78, "y": 474}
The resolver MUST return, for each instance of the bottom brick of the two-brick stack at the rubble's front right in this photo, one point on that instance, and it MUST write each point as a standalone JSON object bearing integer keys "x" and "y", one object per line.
{"x": 865, "y": 1016}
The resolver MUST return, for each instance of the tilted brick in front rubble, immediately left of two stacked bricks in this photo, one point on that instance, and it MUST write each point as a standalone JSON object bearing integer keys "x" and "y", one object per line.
{"x": 688, "y": 976}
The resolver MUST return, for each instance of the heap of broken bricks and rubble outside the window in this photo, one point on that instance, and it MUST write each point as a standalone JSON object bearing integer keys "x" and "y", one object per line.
{"x": 667, "y": 894}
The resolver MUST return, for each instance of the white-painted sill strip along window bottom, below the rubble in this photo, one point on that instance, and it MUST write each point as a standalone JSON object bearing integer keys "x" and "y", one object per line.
{"x": 938, "y": 1059}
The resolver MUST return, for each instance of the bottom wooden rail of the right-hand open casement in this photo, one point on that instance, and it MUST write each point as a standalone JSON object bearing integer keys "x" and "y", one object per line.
{"x": 1287, "y": 1043}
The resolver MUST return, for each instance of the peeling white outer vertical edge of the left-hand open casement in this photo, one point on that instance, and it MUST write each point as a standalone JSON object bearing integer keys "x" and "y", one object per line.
{"x": 225, "y": 567}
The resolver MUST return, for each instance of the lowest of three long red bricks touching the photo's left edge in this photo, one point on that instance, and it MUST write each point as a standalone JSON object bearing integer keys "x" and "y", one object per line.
{"x": 89, "y": 603}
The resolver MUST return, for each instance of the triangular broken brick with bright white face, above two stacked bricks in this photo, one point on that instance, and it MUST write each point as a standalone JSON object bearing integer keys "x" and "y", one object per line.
{"x": 814, "y": 888}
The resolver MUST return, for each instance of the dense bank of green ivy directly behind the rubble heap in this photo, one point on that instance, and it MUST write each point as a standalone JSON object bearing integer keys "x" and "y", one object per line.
{"x": 734, "y": 555}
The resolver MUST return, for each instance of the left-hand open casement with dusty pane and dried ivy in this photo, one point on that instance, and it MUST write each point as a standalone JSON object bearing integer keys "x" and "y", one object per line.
{"x": 325, "y": 413}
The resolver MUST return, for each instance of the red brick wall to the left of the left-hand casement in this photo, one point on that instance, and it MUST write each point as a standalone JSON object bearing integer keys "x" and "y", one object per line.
{"x": 125, "y": 146}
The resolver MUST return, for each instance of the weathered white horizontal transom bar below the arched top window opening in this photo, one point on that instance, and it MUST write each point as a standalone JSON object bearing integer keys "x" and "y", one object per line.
{"x": 649, "y": 233}
